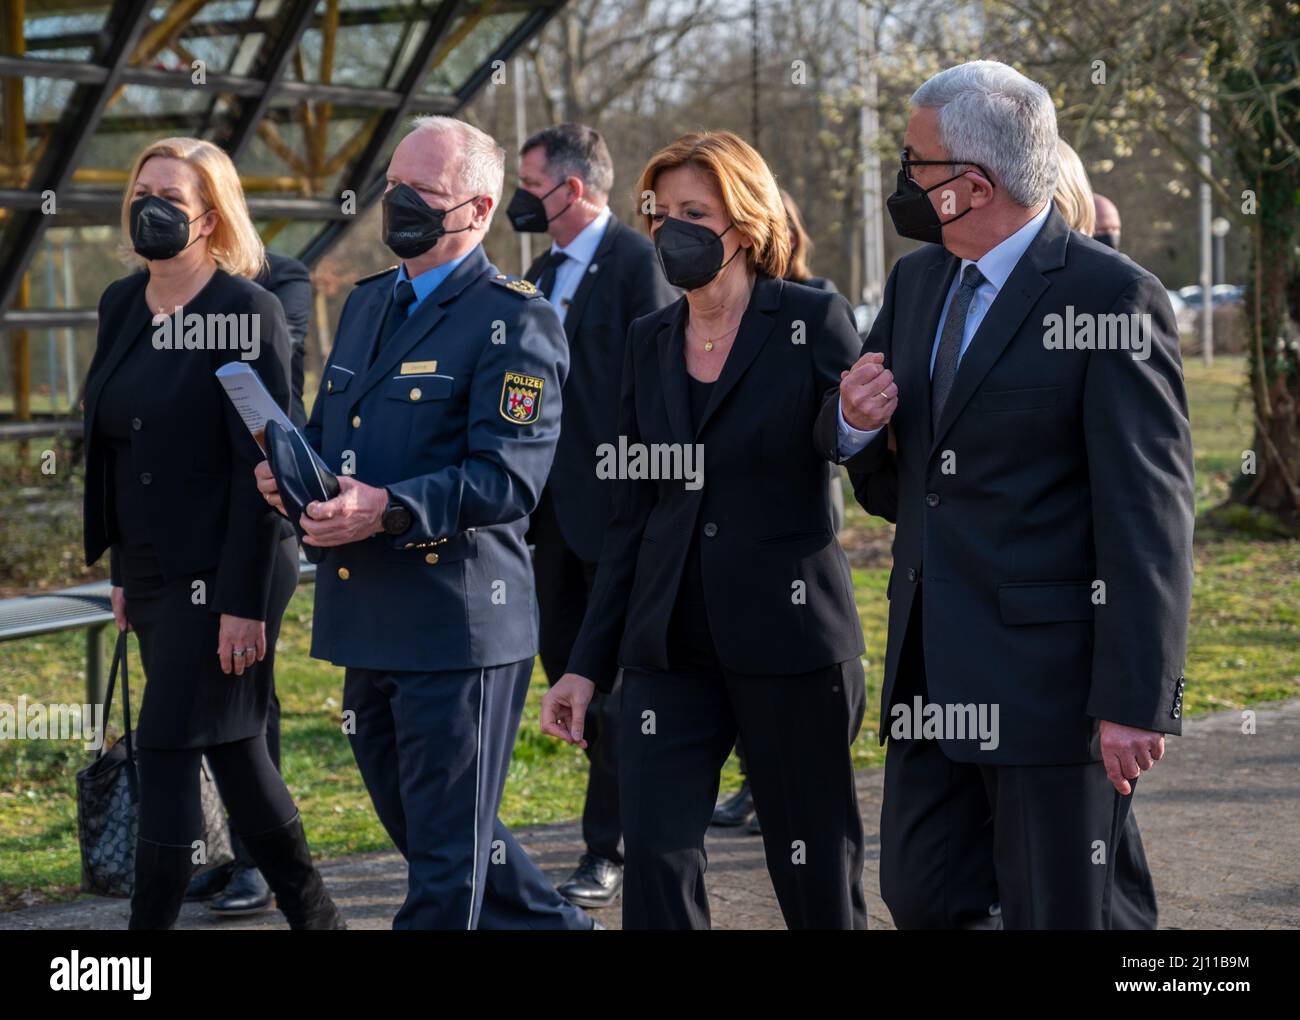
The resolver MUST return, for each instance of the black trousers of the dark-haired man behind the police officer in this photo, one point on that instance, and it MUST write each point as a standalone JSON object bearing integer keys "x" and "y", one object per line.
{"x": 564, "y": 588}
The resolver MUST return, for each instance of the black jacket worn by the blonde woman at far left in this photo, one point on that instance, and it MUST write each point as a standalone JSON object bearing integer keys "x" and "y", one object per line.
{"x": 207, "y": 513}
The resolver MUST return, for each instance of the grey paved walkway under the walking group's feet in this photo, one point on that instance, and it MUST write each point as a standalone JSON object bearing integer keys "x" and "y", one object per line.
{"x": 1220, "y": 819}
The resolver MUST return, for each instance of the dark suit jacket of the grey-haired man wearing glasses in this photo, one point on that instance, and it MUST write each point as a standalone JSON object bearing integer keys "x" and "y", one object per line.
{"x": 1068, "y": 467}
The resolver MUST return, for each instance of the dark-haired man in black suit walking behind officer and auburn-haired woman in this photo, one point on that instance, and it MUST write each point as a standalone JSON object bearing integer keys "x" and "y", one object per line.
{"x": 600, "y": 275}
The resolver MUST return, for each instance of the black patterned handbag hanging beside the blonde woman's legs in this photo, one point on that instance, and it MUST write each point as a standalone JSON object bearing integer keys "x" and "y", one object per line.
{"x": 109, "y": 806}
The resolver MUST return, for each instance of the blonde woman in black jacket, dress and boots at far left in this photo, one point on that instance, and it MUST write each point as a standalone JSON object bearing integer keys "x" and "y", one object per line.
{"x": 198, "y": 559}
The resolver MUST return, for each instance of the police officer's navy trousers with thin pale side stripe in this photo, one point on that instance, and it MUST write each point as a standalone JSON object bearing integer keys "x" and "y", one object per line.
{"x": 434, "y": 750}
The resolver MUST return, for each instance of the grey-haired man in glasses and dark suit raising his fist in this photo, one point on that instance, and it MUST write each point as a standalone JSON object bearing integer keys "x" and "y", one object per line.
{"x": 1042, "y": 485}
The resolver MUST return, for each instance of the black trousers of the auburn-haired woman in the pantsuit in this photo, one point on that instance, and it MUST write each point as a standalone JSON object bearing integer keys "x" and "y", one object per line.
{"x": 677, "y": 733}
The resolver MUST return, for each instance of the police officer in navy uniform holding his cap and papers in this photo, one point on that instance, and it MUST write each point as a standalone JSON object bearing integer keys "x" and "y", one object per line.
{"x": 440, "y": 409}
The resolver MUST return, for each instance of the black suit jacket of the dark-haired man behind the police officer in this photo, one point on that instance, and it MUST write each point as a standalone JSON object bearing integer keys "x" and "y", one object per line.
{"x": 622, "y": 284}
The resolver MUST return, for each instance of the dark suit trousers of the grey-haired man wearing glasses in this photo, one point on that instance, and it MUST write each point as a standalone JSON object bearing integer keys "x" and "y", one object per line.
{"x": 1055, "y": 845}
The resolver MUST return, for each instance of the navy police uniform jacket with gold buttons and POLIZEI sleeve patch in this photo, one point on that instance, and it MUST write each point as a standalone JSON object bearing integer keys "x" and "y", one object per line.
{"x": 458, "y": 419}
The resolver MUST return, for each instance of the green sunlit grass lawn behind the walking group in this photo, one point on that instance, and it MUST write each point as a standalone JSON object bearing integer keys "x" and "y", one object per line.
{"x": 1243, "y": 650}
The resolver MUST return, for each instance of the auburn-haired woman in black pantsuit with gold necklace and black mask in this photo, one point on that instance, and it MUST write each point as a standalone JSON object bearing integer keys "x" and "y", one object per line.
{"x": 722, "y": 592}
